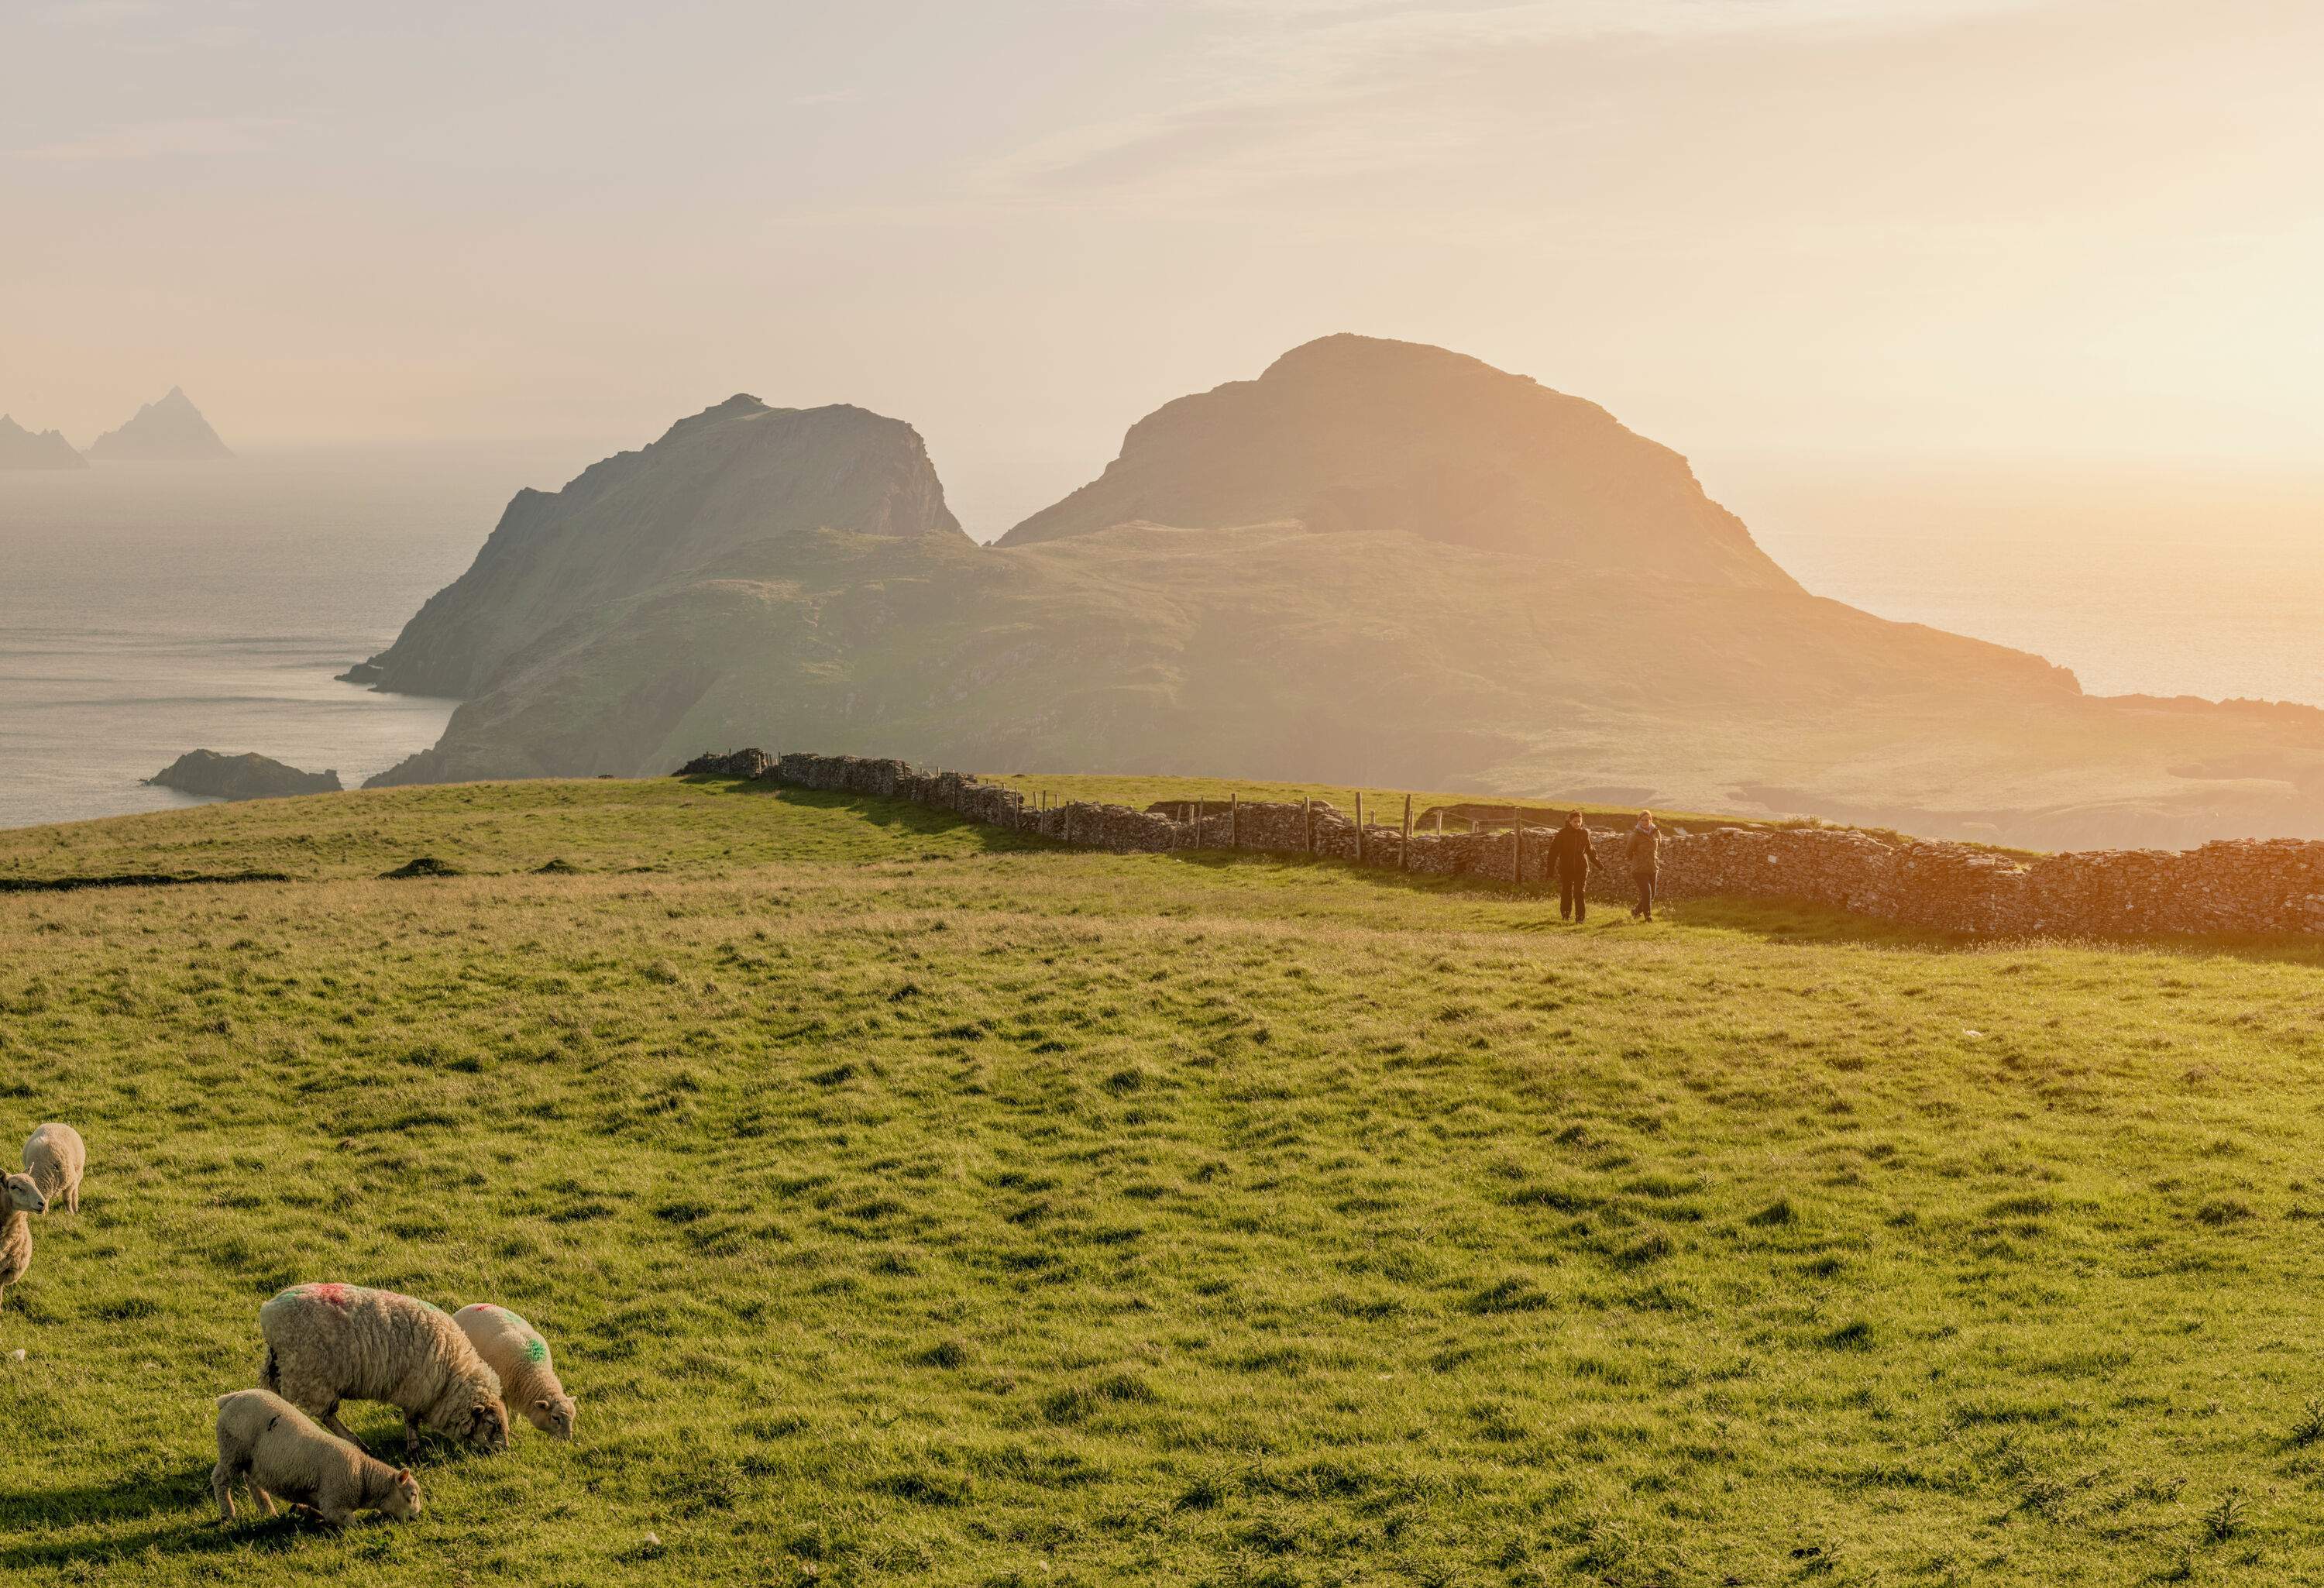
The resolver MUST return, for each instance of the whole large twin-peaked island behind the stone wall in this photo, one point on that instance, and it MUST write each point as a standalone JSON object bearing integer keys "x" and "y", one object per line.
{"x": 1375, "y": 564}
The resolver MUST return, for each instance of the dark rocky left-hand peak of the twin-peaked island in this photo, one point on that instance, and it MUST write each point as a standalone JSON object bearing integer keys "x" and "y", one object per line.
{"x": 717, "y": 487}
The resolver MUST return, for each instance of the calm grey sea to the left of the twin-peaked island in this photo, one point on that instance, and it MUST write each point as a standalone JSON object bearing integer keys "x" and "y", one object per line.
{"x": 150, "y": 610}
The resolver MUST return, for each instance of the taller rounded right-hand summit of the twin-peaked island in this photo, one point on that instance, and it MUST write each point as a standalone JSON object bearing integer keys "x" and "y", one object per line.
{"x": 1354, "y": 434}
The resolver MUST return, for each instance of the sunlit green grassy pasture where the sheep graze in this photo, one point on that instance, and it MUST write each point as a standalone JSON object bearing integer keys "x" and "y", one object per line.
{"x": 919, "y": 1206}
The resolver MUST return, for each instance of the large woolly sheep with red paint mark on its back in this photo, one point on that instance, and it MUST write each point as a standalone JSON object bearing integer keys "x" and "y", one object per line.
{"x": 345, "y": 1343}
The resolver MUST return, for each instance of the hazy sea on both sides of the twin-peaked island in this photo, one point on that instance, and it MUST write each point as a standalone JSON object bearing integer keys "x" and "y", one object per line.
{"x": 150, "y": 610}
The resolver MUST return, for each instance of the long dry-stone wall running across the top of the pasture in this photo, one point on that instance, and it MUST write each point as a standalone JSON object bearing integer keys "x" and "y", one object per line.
{"x": 2230, "y": 887}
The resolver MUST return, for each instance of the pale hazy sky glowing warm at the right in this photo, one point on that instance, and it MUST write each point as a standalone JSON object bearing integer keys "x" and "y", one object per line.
{"x": 1786, "y": 227}
